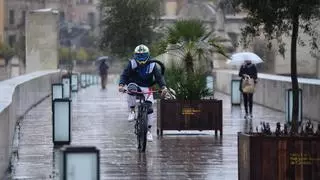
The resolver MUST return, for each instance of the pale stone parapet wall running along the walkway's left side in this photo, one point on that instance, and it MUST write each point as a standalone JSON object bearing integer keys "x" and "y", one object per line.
{"x": 17, "y": 96}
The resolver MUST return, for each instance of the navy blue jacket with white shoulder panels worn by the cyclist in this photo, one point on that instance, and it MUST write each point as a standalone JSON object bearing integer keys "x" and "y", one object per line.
{"x": 144, "y": 76}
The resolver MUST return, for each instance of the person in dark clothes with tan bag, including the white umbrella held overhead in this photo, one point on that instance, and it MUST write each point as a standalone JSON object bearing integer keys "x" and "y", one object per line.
{"x": 248, "y": 73}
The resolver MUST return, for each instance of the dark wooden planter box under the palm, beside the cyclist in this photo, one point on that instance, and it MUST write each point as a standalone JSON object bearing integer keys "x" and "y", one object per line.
{"x": 189, "y": 115}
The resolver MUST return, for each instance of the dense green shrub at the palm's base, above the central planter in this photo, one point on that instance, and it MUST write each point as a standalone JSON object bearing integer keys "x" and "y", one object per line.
{"x": 192, "y": 86}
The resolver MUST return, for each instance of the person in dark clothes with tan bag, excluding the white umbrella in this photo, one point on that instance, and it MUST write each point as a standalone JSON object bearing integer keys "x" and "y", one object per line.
{"x": 248, "y": 73}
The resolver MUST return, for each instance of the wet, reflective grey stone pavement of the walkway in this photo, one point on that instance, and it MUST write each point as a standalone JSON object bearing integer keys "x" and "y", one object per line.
{"x": 99, "y": 118}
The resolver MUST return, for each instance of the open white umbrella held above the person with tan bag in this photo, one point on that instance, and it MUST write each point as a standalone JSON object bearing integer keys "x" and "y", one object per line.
{"x": 239, "y": 58}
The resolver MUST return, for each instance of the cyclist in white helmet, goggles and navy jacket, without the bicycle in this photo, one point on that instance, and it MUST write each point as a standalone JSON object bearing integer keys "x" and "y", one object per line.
{"x": 145, "y": 75}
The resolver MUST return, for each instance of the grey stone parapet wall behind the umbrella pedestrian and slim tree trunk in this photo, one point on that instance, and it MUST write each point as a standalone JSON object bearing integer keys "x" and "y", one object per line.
{"x": 270, "y": 91}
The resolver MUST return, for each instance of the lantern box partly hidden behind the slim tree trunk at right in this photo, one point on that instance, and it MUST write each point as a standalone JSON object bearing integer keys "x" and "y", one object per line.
{"x": 289, "y": 105}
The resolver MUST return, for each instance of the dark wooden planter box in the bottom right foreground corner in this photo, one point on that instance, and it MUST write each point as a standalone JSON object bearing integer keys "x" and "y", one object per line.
{"x": 278, "y": 158}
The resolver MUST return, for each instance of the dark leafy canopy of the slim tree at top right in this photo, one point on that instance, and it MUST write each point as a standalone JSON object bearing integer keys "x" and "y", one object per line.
{"x": 275, "y": 18}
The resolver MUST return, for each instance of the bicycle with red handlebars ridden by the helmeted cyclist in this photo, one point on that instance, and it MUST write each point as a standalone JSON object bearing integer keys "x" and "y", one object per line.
{"x": 144, "y": 108}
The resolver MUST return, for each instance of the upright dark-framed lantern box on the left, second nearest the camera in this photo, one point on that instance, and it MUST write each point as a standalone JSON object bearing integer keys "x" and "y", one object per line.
{"x": 61, "y": 121}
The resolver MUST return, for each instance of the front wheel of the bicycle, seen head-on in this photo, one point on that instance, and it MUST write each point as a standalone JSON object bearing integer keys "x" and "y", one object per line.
{"x": 142, "y": 126}
